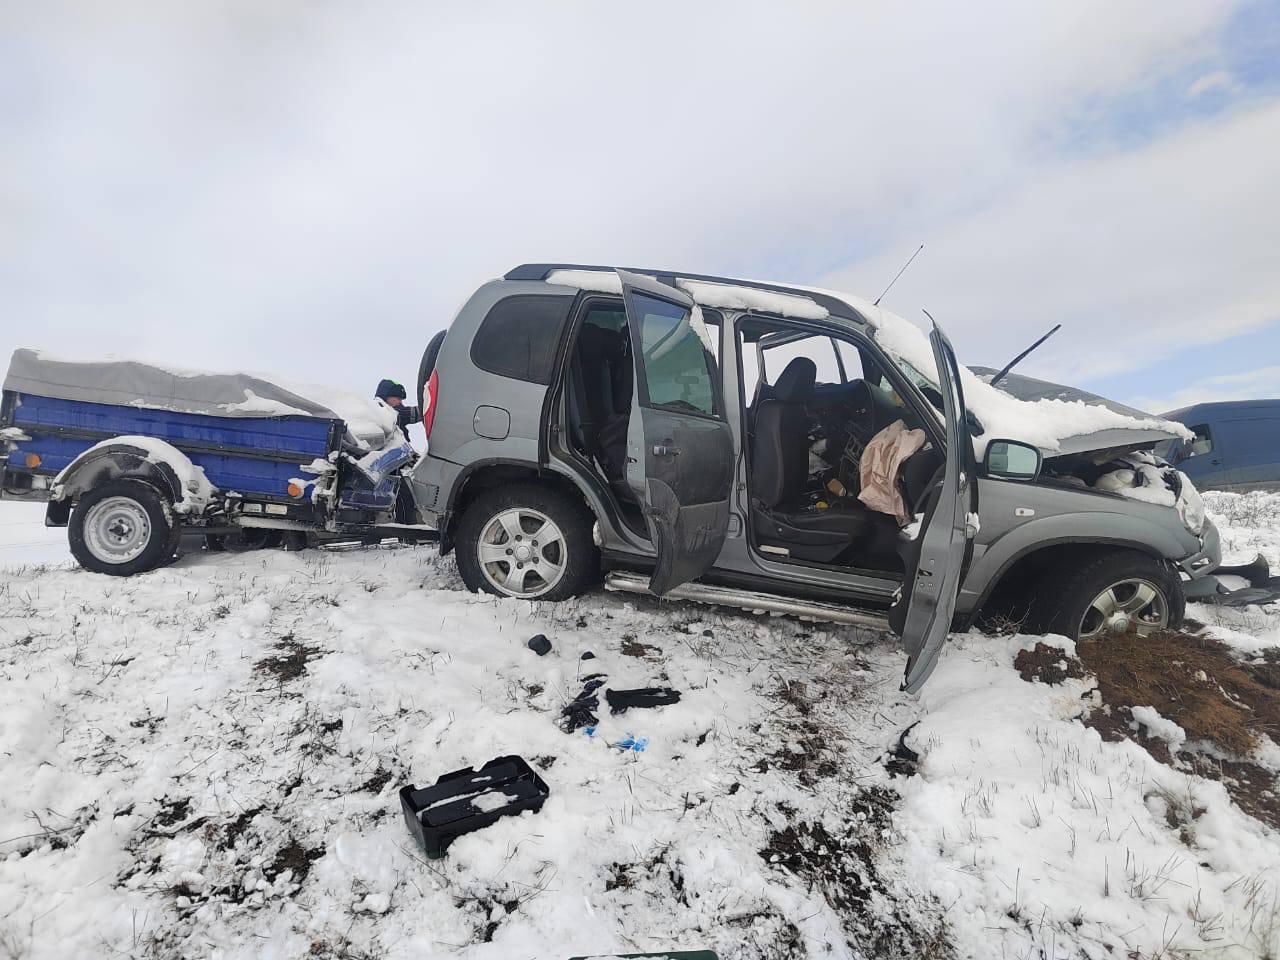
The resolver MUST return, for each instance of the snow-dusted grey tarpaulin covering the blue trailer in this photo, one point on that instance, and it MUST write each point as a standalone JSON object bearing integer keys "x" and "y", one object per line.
{"x": 226, "y": 395}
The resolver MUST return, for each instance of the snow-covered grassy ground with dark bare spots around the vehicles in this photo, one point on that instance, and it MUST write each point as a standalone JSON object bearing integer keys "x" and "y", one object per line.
{"x": 205, "y": 762}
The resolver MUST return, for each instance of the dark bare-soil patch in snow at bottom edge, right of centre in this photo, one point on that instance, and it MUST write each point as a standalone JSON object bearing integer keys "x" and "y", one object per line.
{"x": 842, "y": 867}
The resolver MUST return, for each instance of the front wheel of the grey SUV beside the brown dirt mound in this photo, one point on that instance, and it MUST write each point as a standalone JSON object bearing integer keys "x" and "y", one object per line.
{"x": 1064, "y": 604}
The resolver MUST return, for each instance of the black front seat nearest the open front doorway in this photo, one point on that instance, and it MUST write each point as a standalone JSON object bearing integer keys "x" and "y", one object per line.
{"x": 783, "y": 515}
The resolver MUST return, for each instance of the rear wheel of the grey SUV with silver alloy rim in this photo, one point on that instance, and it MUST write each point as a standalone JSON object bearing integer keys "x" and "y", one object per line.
{"x": 486, "y": 531}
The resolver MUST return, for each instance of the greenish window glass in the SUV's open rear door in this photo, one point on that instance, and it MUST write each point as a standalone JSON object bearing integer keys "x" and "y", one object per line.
{"x": 679, "y": 368}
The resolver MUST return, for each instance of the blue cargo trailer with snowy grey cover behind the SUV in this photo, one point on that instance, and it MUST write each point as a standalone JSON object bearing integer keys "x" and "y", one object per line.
{"x": 131, "y": 458}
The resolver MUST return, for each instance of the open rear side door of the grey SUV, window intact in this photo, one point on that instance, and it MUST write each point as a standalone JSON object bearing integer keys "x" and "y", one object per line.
{"x": 680, "y": 452}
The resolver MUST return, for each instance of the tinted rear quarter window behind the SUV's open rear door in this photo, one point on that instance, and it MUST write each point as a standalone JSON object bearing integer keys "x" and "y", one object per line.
{"x": 520, "y": 336}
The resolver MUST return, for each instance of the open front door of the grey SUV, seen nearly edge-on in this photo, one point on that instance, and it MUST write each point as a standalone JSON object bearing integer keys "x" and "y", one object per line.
{"x": 935, "y": 561}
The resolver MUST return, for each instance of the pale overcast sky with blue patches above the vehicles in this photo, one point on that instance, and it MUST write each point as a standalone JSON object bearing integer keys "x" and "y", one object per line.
{"x": 313, "y": 189}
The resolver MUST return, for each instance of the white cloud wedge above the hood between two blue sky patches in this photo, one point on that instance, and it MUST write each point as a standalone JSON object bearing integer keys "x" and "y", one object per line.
{"x": 1139, "y": 254}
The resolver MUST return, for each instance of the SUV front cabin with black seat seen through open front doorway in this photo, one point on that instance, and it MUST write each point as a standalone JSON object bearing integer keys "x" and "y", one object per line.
{"x": 812, "y": 405}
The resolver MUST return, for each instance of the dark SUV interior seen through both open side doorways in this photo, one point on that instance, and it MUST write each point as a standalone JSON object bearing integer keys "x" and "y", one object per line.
{"x": 812, "y": 404}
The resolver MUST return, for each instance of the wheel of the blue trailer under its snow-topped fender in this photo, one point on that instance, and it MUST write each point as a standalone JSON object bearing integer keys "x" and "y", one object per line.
{"x": 124, "y": 528}
